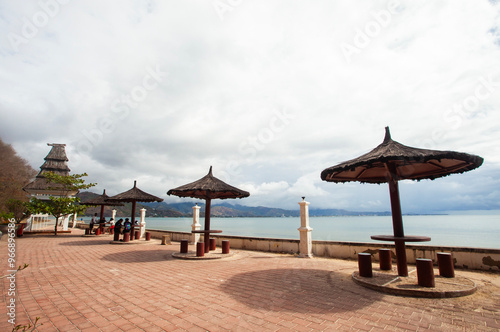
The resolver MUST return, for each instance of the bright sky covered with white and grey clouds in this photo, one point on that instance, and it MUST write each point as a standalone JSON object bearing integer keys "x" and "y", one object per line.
{"x": 267, "y": 92}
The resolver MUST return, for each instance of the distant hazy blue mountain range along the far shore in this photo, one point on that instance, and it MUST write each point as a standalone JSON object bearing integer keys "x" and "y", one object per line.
{"x": 223, "y": 209}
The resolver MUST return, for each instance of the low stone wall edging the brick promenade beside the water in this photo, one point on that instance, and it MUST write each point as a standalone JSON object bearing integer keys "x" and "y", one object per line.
{"x": 467, "y": 258}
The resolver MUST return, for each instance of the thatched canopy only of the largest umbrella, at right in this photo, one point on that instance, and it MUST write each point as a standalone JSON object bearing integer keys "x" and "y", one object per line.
{"x": 408, "y": 162}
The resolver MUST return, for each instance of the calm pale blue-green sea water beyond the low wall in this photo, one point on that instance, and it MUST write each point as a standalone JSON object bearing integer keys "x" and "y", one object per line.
{"x": 461, "y": 230}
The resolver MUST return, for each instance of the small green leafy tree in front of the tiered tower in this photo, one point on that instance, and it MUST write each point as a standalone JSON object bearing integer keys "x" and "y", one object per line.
{"x": 65, "y": 203}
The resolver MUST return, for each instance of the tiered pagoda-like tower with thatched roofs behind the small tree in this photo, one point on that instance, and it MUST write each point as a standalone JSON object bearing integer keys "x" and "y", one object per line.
{"x": 57, "y": 162}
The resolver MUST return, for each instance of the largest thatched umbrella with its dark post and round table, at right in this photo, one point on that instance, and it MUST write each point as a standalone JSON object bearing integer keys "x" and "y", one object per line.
{"x": 392, "y": 161}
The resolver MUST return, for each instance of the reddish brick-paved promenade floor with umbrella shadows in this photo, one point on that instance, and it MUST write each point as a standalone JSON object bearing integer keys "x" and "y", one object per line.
{"x": 76, "y": 283}
